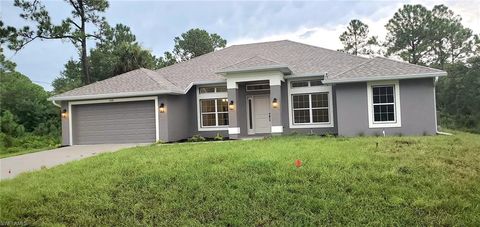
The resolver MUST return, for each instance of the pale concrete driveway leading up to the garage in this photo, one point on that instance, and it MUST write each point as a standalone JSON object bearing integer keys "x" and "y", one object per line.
{"x": 12, "y": 166}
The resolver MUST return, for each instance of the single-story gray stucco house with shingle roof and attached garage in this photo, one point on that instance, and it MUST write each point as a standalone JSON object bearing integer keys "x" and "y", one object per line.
{"x": 265, "y": 88}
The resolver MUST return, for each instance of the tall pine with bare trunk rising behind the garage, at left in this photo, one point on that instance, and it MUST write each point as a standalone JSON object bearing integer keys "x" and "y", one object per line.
{"x": 72, "y": 28}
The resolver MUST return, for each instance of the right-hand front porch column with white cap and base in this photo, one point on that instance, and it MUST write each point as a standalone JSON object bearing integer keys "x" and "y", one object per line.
{"x": 276, "y": 110}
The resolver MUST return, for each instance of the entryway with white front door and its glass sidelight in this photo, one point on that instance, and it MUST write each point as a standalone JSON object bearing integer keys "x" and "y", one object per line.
{"x": 258, "y": 114}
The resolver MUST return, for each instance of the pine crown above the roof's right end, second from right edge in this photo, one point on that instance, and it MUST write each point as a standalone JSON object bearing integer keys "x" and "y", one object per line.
{"x": 408, "y": 33}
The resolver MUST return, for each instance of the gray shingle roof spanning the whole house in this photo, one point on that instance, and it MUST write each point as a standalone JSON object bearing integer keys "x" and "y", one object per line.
{"x": 301, "y": 59}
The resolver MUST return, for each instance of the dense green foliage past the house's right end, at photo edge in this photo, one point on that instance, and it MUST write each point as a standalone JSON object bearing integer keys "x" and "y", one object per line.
{"x": 458, "y": 96}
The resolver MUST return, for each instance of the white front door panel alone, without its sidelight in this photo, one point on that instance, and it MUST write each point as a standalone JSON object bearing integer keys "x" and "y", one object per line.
{"x": 261, "y": 114}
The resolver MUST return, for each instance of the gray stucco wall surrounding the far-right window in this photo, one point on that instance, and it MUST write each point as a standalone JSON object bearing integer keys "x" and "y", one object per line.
{"x": 416, "y": 103}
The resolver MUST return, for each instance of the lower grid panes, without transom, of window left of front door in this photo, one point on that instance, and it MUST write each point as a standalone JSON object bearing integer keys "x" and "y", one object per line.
{"x": 214, "y": 112}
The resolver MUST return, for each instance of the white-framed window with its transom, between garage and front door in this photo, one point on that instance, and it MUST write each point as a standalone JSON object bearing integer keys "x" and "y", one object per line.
{"x": 212, "y": 107}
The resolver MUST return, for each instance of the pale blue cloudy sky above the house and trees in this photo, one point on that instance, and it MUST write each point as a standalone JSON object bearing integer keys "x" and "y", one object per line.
{"x": 157, "y": 23}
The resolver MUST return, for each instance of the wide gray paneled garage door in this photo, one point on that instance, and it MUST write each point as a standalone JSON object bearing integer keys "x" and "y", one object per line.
{"x": 122, "y": 122}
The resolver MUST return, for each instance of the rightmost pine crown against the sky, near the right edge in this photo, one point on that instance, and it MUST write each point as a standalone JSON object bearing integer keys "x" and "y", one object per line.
{"x": 450, "y": 40}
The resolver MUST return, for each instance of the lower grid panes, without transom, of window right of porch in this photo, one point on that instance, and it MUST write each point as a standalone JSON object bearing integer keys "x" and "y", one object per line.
{"x": 310, "y": 108}
